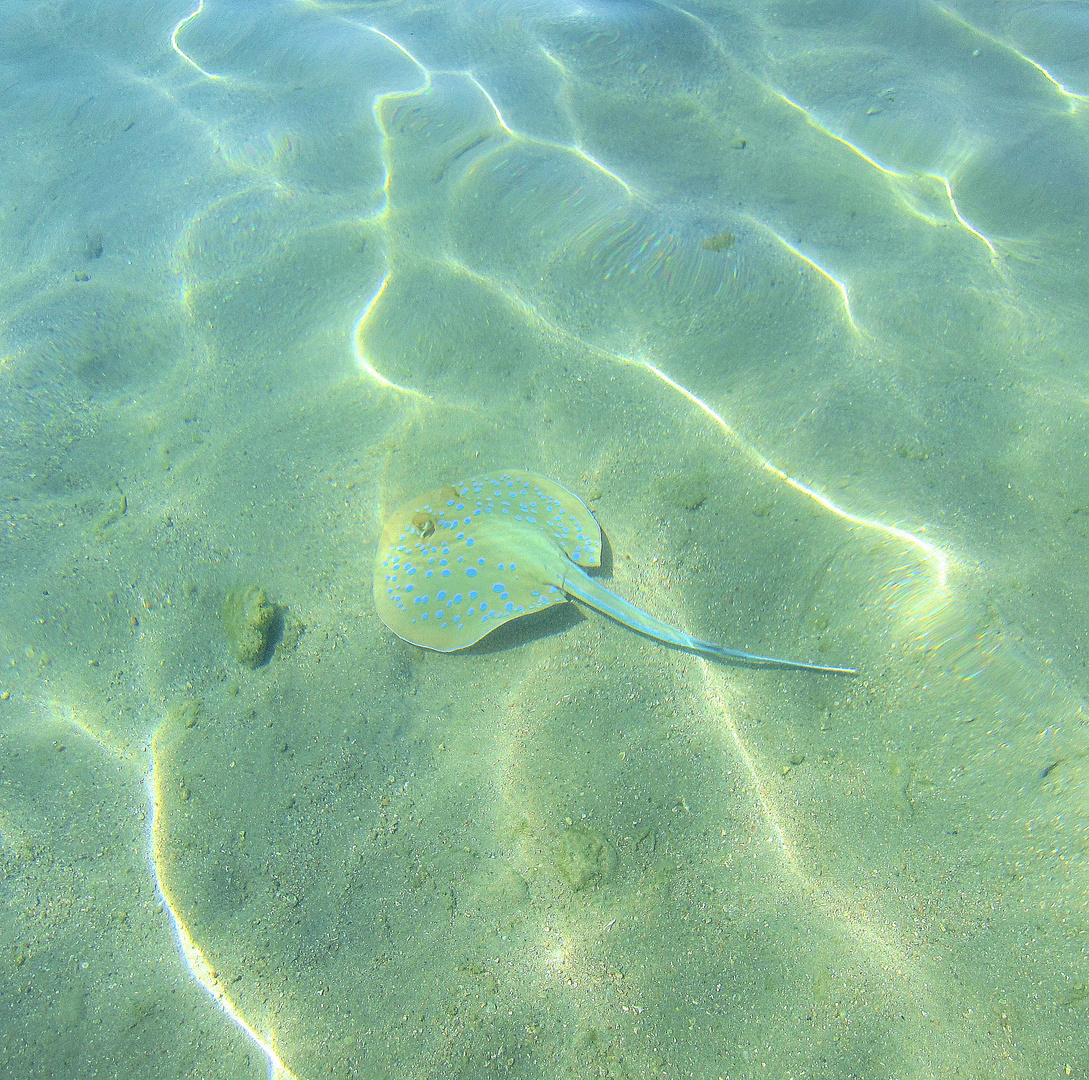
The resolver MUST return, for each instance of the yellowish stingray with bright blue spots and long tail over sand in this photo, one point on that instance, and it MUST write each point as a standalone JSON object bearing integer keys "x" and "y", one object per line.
{"x": 457, "y": 563}
